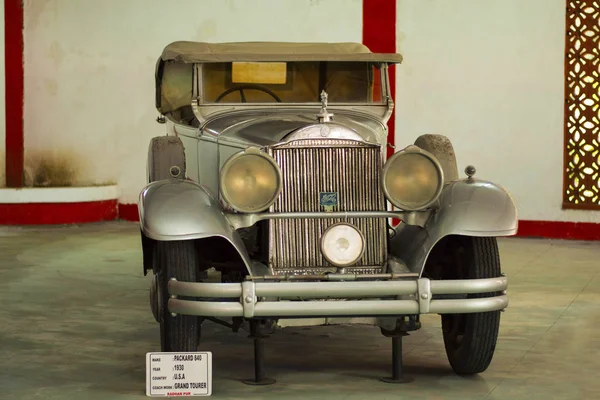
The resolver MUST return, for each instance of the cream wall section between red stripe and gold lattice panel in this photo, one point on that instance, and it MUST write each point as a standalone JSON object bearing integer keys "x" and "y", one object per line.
{"x": 489, "y": 74}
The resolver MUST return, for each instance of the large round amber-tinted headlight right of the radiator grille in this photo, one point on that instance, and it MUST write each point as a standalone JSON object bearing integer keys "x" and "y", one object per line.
{"x": 412, "y": 179}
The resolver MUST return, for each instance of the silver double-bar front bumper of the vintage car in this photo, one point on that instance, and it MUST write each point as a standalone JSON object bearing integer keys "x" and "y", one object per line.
{"x": 256, "y": 299}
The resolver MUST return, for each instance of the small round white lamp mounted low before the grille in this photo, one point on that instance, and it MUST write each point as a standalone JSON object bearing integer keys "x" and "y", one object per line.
{"x": 342, "y": 245}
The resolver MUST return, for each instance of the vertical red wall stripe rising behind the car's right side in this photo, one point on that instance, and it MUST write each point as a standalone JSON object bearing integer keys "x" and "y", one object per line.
{"x": 379, "y": 35}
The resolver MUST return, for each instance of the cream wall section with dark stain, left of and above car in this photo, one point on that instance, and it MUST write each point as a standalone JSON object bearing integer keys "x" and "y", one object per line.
{"x": 89, "y": 73}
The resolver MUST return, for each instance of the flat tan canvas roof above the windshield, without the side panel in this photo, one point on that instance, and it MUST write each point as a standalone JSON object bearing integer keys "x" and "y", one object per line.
{"x": 200, "y": 52}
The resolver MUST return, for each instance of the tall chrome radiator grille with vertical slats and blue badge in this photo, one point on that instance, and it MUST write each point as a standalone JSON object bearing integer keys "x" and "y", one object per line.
{"x": 350, "y": 168}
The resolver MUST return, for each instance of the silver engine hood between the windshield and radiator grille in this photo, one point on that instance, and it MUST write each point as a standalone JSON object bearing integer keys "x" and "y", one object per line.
{"x": 253, "y": 129}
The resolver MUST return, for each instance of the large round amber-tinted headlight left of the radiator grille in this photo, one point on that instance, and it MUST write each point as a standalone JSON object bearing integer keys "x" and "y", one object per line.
{"x": 250, "y": 181}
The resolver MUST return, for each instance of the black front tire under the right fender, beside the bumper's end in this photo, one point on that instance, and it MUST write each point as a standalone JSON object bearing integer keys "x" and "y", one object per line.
{"x": 470, "y": 339}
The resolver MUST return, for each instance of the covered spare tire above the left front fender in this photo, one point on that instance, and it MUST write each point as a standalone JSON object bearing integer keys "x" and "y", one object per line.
{"x": 164, "y": 154}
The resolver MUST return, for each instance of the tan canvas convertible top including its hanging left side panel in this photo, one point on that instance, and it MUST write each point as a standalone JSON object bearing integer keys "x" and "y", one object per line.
{"x": 174, "y": 70}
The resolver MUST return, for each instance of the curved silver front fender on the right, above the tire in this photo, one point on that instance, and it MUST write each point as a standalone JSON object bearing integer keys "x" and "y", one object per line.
{"x": 468, "y": 207}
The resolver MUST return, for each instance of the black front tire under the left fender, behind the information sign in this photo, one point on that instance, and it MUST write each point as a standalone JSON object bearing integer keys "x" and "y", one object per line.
{"x": 179, "y": 260}
